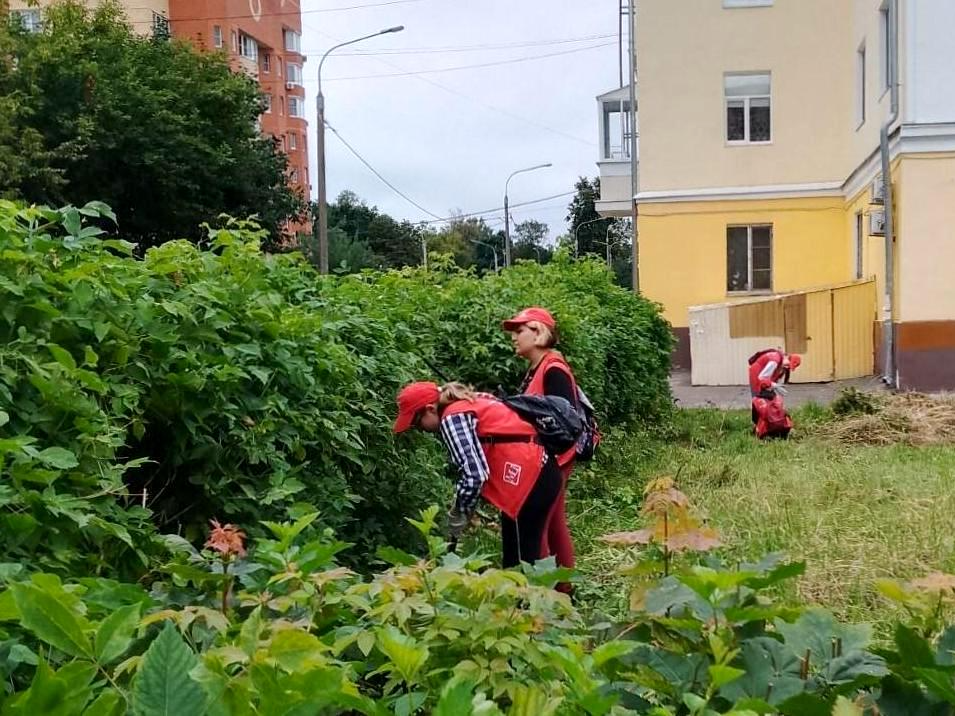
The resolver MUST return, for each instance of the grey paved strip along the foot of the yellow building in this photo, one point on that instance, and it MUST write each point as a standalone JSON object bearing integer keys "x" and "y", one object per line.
{"x": 737, "y": 396}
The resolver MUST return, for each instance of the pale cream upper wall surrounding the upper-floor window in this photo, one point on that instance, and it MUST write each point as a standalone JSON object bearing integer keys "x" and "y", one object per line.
{"x": 684, "y": 47}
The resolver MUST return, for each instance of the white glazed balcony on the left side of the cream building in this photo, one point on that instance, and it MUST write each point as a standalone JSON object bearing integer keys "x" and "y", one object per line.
{"x": 614, "y": 159}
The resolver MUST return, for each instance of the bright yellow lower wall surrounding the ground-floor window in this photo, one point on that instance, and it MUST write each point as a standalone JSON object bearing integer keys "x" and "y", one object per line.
{"x": 683, "y": 248}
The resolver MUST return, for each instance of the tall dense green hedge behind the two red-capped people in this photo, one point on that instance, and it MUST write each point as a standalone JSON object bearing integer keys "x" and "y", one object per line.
{"x": 224, "y": 383}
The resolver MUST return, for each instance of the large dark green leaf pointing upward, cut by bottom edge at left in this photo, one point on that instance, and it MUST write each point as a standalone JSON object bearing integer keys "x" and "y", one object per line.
{"x": 163, "y": 686}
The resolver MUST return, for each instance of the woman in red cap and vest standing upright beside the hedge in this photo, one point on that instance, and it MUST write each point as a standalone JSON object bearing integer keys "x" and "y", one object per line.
{"x": 534, "y": 335}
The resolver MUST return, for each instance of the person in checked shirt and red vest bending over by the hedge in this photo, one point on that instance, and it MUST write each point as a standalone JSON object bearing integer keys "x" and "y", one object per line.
{"x": 498, "y": 457}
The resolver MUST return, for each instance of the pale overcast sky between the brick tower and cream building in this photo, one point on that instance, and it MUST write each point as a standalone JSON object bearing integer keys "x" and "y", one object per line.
{"x": 451, "y": 147}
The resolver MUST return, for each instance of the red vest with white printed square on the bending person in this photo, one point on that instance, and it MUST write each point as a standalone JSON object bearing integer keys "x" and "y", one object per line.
{"x": 515, "y": 466}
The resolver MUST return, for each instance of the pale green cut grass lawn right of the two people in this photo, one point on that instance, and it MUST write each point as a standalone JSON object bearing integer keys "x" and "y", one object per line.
{"x": 853, "y": 514}
